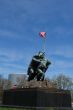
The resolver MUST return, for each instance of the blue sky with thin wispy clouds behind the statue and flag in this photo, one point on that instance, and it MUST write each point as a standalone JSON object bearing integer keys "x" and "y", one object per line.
{"x": 20, "y": 24}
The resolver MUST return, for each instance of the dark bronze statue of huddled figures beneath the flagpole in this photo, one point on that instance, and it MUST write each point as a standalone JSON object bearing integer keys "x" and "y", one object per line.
{"x": 38, "y": 66}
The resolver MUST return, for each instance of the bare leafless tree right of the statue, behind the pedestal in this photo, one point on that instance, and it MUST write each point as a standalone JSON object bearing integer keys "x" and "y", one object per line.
{"x": 63, "y": 82}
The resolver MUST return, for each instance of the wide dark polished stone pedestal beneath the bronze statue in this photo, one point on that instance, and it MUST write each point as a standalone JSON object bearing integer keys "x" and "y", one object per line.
{"x": 37, "y": 97}
